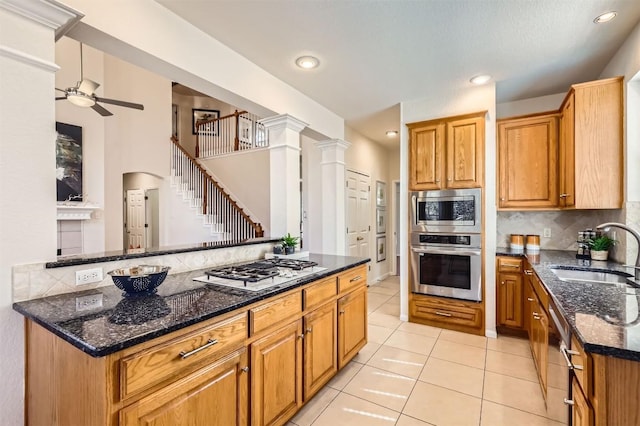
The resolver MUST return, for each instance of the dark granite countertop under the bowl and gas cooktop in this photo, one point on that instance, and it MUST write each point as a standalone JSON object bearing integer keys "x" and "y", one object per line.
{"x": 121, "y": 322}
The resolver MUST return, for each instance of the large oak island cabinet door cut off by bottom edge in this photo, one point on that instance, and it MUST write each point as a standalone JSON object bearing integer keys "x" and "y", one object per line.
{"x": 215, "y": 395}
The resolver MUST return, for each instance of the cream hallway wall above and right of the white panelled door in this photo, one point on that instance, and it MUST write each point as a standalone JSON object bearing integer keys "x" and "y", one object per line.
{"x": 372, "y": 159}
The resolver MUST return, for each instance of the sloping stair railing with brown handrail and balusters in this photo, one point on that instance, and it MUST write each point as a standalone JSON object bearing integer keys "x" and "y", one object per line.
{"x": 215, "y": 200}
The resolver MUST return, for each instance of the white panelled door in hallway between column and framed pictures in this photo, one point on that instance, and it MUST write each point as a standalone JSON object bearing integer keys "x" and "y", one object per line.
{"x": 358, "y": 214}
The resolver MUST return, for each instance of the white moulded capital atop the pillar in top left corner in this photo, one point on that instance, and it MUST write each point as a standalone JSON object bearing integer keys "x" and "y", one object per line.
{"x": 49, "y": 13}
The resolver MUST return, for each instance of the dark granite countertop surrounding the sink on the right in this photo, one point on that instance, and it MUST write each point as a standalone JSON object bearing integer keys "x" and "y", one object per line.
{"x": 605, "y": 318}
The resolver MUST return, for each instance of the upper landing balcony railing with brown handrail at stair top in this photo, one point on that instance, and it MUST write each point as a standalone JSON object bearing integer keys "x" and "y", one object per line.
{"x": 234, "y": 132}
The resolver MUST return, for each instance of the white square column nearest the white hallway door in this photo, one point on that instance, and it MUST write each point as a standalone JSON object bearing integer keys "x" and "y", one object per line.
{"x": 333, "y": 212}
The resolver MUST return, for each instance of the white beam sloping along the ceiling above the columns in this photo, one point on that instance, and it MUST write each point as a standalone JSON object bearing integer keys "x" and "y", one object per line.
{"x": 161, "y": 41}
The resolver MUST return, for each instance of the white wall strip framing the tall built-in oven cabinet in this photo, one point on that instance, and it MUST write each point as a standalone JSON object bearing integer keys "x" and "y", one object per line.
{"x": 445, "y": 102}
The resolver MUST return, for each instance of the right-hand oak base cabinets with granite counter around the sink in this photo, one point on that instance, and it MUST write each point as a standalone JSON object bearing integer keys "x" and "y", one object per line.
{"x": 603, "y": 348}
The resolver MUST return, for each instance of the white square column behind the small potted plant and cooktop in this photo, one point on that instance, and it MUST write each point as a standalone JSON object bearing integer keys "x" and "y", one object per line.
{"x": 284, "y": 146}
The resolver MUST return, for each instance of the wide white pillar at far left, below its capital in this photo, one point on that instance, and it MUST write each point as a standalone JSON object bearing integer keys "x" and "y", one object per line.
{"x": 27, "y": 179}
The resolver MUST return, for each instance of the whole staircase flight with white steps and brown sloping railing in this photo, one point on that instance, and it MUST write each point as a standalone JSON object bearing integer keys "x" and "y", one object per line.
{"x": 219, "y": 212}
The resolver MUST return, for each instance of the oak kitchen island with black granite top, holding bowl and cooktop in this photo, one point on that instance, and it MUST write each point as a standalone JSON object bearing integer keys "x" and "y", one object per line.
{"x": 220, "y": 356}
